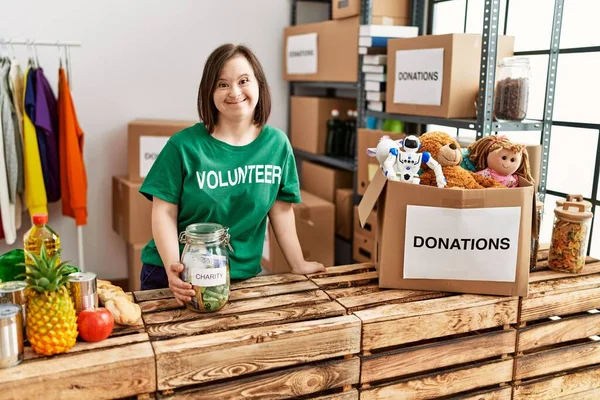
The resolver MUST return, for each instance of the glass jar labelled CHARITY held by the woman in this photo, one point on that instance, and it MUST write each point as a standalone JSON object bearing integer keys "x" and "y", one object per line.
{"x": 205, "y": 258}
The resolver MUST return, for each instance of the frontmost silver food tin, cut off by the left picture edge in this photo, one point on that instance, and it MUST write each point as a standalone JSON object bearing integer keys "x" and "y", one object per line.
{"x": 11, "y": 335}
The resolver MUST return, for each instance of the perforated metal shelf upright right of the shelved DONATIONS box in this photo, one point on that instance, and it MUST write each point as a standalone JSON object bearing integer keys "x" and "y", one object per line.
{"x": 487, "y": 76}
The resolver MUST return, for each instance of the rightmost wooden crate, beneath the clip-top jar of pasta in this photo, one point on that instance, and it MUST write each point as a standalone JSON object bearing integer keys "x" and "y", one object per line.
{"x": 558, "y": 350}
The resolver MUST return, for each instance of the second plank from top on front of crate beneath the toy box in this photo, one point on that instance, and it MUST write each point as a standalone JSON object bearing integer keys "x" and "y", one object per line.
{"x": 428, "y": 357}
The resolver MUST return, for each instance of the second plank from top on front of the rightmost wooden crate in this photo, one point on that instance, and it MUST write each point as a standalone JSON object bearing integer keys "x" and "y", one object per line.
{"x": 560, "y": 331}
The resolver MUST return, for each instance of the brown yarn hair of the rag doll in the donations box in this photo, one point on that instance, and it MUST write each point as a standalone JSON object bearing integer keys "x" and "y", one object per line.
{"x": 480, "y": 150}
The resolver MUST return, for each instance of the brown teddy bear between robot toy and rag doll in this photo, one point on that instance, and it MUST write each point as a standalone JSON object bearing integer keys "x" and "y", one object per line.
{"x": 448, "y": 153}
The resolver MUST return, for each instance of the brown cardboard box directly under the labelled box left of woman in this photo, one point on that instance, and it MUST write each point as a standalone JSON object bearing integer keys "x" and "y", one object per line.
{"x": 132, "y": 212}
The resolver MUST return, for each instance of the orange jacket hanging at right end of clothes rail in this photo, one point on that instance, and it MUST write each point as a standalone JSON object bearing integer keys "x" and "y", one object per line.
{"x": 73, "y": 181}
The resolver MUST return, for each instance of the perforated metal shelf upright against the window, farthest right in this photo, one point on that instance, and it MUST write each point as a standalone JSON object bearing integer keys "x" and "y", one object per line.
{"x": 550, "y": 93}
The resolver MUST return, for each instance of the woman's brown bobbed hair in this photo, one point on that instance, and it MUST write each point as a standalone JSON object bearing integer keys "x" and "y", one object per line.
{"x": 212, "y": 69}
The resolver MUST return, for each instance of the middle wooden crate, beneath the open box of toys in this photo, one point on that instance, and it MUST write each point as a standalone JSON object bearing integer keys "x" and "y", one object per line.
{"x": 418, "y": 344}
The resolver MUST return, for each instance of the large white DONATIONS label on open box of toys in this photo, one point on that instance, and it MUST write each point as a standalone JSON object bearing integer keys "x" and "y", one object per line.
{"x": 471, "y": 244}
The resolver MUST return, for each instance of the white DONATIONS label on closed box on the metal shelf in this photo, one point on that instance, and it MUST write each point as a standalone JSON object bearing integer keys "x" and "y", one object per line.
{"x": 419, "y": 77}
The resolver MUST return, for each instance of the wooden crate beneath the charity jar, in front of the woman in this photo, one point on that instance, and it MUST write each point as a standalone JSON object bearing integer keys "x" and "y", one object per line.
{"x": 279, "y": 337}
